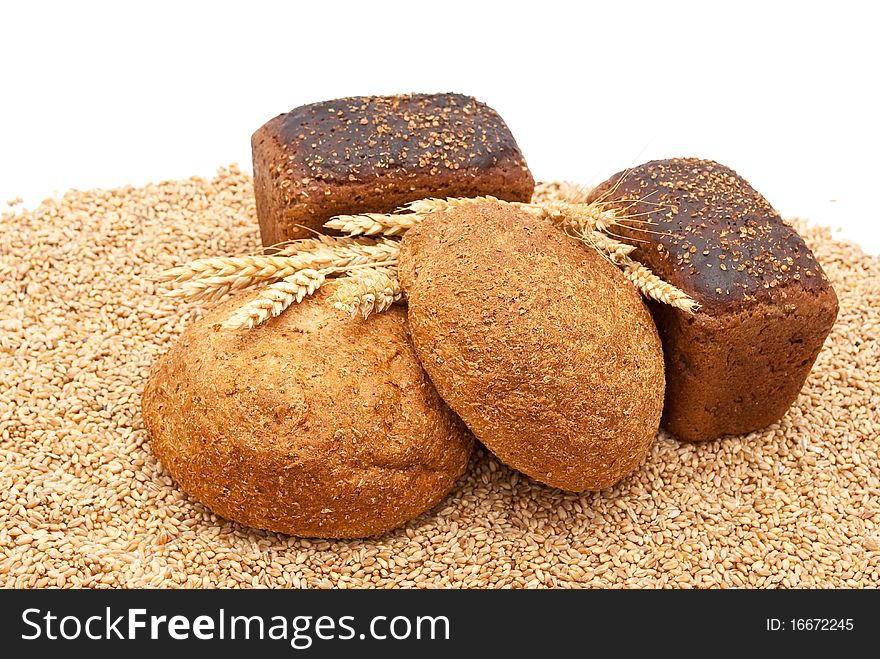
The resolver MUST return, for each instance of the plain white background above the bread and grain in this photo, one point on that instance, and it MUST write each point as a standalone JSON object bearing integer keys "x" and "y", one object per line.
{"x": 103, "y": 94}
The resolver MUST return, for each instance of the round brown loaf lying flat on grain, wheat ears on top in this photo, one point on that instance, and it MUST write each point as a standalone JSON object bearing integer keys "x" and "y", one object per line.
{"x": 311, "y": 424}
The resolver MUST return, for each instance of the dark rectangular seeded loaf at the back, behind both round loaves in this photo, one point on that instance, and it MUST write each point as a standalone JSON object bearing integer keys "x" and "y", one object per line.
{"x": 376, "y": 153}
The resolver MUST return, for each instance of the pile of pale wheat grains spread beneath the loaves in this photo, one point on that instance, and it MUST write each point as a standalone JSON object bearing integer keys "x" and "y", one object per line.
{"x": 84, "y": 503}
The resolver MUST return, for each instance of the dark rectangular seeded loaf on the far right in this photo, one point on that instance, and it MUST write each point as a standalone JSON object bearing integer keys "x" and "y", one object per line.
{"x": 739, "y": 363}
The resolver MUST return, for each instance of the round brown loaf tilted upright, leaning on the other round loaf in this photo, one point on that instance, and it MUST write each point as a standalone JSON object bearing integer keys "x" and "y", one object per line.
{"x": 542, "y": 347}
